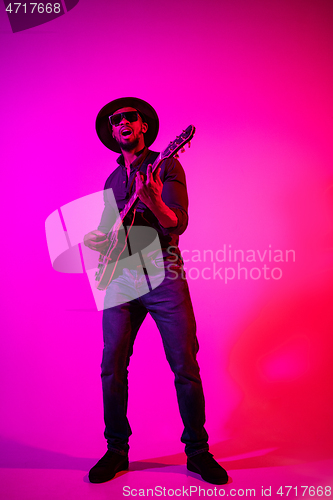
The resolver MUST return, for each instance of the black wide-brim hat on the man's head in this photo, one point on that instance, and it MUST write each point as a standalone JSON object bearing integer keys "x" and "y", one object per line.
{"x": 149, "y": 115}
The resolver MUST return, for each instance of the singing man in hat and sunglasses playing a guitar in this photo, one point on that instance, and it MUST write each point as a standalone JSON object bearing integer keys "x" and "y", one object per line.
{"x": 129, "y": 126}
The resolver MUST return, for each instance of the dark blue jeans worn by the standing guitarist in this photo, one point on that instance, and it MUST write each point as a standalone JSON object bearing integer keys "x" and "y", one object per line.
{"x": 170, "y": 306}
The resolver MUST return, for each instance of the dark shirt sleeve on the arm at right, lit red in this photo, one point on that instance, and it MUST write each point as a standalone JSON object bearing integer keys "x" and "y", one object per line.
{"x": 174, "y": 194}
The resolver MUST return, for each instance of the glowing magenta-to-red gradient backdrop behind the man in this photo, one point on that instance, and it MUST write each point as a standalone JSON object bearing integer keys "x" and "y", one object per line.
{"x": 256, "y": 80}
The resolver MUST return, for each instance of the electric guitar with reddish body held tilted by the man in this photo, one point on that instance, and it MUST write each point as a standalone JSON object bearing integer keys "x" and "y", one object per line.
{"x": 108, "y": 262}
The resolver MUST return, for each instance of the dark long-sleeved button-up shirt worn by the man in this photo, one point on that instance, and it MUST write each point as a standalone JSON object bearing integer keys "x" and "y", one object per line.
{"x": 174, "y": 195}
